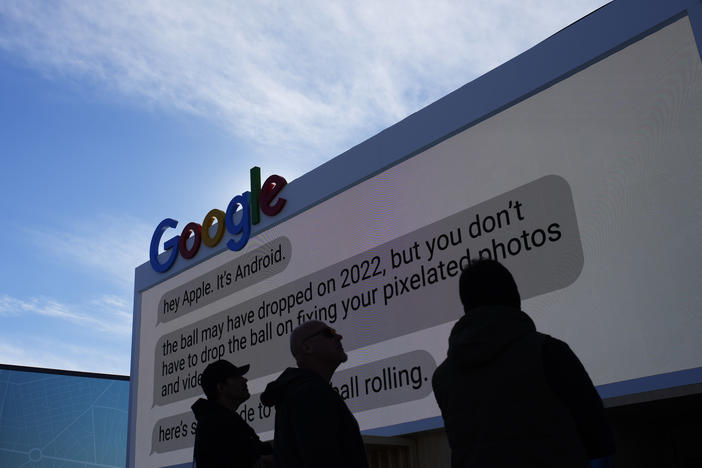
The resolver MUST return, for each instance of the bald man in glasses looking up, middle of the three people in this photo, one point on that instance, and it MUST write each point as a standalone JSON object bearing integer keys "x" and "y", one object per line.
{"x": 313, "y": 426}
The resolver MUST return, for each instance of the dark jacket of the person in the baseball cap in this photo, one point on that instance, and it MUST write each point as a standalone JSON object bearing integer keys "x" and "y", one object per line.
{"x": 223, "y": 439}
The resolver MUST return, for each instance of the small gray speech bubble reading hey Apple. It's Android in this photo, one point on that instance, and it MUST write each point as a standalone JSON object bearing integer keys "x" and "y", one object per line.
{"x": 261, "y": 263}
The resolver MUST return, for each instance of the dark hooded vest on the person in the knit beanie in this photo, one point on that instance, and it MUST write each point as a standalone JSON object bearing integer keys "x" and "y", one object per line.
{"x": 498, "y": 407}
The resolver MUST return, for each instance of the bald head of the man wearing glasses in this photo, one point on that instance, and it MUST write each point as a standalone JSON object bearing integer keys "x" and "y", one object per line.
{"x": 315, "y": 344}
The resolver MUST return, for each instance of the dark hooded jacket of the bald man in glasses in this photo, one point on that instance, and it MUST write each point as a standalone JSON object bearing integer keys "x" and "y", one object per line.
{"x": 313, "y": 426}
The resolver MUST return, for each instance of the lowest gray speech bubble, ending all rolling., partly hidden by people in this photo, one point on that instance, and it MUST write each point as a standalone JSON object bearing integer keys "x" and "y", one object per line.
{"x": 386, "y": 382}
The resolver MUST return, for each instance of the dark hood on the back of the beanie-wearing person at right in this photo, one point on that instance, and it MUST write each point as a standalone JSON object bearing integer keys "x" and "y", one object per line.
{"x": 484, "y": 332}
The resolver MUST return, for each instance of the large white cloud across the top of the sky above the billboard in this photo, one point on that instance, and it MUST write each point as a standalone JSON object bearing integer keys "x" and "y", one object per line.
{"x": 306, "y": 78}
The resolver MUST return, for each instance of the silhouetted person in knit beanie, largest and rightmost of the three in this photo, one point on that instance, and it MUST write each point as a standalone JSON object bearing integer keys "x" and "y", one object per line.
{"x": 509, "y": 395}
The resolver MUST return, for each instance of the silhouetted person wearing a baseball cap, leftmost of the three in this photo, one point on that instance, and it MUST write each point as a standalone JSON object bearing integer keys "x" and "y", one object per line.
{"x": 222, "y": 438}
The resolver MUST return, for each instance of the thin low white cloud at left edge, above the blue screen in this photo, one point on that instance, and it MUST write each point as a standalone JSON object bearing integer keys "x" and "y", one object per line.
{"x": 108, "y": 315}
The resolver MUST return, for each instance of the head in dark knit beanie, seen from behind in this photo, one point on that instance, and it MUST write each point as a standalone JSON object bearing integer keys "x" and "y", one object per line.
{"x": 486, "y": 282}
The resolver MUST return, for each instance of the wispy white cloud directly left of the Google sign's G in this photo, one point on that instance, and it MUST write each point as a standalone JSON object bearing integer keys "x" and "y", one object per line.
{"x": 110, "y": 245}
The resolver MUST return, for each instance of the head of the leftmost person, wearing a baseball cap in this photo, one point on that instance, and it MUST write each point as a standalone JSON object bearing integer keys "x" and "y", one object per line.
{"x": 225, "y": 383}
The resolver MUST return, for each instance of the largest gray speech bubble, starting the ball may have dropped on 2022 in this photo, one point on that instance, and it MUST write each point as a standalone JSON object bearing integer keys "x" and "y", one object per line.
{"x": 405, "y": 285}
